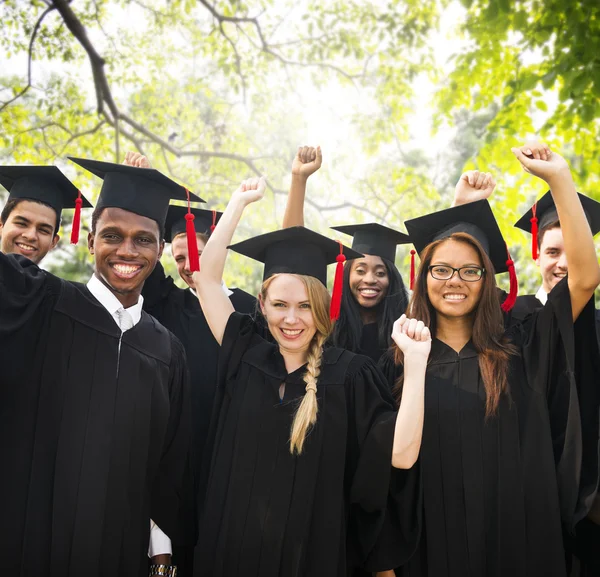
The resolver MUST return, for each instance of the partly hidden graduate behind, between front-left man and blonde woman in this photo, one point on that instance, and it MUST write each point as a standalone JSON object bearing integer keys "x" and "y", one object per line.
{"x": 179, "y": 310}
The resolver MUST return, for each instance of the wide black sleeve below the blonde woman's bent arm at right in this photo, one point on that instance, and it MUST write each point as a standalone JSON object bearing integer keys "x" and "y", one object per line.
{"x": 385, "y": 503}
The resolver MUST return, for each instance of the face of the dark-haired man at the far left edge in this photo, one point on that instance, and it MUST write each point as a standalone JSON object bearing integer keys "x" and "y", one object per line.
{"x": 29, "y": 230}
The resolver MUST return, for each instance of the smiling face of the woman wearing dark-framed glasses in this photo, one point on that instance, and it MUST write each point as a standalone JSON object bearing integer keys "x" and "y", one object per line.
{"x": 454, "y": 297}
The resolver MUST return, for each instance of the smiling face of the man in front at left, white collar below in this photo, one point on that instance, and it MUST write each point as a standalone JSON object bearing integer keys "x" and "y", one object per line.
{"x": 126, "y": 248}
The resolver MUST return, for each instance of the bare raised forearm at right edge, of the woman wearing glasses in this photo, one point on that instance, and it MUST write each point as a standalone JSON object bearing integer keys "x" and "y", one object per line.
{"x": 584, "y": 272}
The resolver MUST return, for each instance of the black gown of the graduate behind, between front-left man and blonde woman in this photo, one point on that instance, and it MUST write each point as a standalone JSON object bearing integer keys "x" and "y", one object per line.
{"x": 179, "y": 311}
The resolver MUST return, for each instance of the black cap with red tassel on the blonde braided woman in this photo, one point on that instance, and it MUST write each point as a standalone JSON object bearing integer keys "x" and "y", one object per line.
{"x": 298, "y": 250}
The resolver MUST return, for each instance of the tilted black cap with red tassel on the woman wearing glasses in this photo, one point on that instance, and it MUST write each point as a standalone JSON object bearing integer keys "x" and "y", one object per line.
{"x": 475, "y": 219}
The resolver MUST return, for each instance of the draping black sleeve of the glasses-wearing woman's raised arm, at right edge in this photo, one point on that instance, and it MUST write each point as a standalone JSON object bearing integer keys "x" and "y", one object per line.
{"x": 561, "y": 360}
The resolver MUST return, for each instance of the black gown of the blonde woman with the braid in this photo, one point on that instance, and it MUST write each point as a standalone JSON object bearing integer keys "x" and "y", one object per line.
{"x": 270, "y": 514}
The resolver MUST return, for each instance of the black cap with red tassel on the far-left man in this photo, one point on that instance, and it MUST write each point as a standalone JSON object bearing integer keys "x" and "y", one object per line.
{"x": 45, "y": 184}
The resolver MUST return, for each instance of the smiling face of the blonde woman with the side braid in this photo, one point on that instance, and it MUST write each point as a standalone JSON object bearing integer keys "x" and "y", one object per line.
{"x": 288, "y": 313}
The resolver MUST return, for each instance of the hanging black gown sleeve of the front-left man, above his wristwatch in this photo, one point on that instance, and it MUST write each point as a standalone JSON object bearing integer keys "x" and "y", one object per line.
{"x": 172, "y": 502}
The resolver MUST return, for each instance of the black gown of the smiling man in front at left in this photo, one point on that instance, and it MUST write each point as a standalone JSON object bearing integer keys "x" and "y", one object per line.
{"x": 94, "y": 430}
